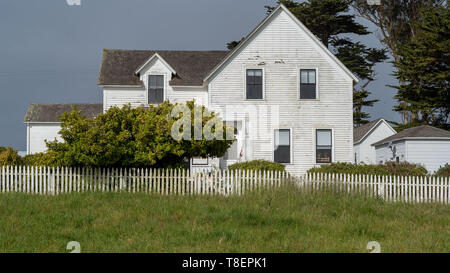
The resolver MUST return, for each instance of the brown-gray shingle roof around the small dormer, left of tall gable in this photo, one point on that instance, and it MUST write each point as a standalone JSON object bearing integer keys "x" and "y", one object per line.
{"x": 118, "y": 66}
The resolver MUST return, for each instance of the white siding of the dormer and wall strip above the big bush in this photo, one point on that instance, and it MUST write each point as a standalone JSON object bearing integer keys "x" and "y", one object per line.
{"x": 138, "y": 96}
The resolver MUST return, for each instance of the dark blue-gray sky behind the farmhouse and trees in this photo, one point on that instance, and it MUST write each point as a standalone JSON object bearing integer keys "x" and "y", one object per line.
{"x": 50, "y": 52}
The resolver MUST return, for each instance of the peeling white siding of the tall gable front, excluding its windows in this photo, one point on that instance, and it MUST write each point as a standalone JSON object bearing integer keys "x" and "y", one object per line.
{"x": 281, "y": 49}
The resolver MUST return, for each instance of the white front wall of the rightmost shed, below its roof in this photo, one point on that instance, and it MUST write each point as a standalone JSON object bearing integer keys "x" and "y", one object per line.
{"x": 432, "y": 154}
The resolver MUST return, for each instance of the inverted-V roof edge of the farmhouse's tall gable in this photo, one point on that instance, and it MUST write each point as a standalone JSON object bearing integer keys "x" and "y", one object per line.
{"x": 280, "y": 8}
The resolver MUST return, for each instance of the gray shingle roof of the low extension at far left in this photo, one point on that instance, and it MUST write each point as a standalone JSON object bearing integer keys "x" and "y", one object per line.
{"x": 50, "y": 112}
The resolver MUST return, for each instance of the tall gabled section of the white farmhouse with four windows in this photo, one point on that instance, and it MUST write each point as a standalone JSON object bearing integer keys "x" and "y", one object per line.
{"x": 290, "y": 100}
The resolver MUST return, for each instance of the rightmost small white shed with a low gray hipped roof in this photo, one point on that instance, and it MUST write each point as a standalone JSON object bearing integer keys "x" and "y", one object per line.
{"x": 424, "y": 145}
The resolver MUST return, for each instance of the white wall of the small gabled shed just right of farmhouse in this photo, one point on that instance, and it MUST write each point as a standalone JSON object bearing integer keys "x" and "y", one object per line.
{"x": 365, "y": 152}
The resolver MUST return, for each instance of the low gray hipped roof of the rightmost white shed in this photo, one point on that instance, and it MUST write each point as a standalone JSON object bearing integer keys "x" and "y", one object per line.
{"x": 419, "y": 132}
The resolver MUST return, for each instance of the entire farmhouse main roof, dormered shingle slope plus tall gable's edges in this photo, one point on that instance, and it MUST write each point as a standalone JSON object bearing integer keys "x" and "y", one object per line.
{"x": 191, "y": 68}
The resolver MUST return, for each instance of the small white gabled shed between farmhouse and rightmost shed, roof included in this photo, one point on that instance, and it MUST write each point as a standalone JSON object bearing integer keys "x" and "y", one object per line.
{"x": 364, "y": 136}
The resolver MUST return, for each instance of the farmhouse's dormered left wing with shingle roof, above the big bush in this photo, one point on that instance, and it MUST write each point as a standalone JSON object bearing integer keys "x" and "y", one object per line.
{"x": 141, "y": 78}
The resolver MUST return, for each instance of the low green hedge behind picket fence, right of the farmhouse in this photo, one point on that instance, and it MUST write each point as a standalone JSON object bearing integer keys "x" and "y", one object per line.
{"x": 389, "y": 168}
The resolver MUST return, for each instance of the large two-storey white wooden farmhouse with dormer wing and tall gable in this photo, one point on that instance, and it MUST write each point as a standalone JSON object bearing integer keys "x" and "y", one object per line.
{"x": 287, "y": 95}
